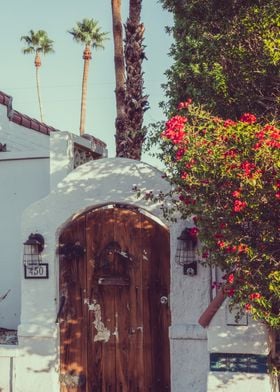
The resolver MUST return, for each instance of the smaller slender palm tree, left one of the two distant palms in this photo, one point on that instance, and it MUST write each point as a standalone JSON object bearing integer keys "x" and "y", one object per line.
{"x": 38, "y": 42}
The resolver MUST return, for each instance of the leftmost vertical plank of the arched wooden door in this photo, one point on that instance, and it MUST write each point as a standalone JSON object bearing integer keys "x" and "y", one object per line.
{"x": 73, "y": 348}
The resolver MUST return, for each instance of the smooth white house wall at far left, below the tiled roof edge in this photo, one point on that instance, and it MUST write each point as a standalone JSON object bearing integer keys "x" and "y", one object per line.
{"x": 24, "y": 178}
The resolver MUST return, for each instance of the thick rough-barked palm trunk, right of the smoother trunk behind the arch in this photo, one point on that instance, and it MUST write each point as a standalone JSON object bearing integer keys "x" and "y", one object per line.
{"x": 136, "y": 102}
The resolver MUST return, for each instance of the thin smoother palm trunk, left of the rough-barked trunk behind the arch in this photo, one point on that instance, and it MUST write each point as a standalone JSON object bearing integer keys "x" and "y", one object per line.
{"x": 119, "y": 71}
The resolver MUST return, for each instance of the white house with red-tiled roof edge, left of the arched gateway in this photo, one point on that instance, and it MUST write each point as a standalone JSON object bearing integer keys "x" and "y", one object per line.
{"x": 25, "y": 178}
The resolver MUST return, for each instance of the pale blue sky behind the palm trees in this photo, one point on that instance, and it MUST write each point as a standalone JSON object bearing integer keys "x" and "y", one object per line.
{"x": 61, "y": 72}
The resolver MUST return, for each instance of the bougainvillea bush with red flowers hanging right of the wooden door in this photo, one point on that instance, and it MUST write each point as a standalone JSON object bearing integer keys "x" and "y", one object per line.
{"x": 226, "y": 175}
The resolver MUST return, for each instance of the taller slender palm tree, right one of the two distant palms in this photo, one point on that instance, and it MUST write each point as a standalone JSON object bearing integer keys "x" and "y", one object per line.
{"x": 87, "y": 33}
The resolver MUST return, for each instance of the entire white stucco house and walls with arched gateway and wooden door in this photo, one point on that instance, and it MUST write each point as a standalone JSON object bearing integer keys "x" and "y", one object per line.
{"x": 115, "y": 311}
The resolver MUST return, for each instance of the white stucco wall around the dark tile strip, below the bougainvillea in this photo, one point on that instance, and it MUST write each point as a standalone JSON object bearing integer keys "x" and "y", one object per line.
{"x": 250, "y": 338}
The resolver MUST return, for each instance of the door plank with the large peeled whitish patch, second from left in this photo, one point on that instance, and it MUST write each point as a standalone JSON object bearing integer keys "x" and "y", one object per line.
{"x": 101, "y": 351}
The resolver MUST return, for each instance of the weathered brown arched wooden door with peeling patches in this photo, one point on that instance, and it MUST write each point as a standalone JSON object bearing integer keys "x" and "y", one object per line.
{"x": 114, "y": 313}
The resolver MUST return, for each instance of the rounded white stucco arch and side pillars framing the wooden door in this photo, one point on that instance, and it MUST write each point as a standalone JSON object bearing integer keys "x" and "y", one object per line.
{"x": 93, "y": 184}
